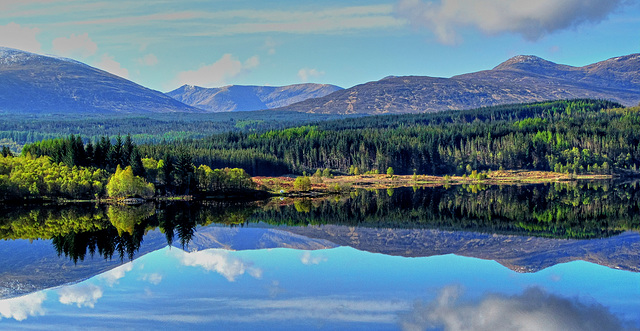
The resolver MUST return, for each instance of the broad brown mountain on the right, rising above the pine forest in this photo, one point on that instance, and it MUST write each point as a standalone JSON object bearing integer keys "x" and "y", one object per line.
{"x": 517, "y": 80}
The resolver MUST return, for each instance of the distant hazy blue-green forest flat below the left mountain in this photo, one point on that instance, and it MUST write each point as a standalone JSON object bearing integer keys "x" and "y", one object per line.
{"x": 16, "y": 131}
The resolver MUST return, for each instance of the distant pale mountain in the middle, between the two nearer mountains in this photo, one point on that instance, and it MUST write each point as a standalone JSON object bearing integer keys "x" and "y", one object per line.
{"x": 245, "y": 98}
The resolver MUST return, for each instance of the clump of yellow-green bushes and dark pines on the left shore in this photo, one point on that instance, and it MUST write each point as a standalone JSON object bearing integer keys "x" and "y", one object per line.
{"x": 70, "y": 168}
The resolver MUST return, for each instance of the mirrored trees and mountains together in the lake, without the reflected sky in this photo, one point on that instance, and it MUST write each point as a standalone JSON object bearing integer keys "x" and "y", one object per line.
{"x": 525, "y": 228}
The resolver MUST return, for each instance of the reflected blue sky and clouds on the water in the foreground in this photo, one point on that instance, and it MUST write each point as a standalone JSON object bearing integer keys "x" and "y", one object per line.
{"x": 347, "y": 289}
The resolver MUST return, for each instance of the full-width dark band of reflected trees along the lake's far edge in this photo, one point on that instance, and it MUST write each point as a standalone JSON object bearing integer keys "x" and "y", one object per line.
{"x": 559, "y": 210}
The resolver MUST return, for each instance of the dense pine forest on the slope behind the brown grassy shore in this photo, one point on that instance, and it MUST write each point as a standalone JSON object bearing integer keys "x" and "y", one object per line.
{"x": 575, "y": 136}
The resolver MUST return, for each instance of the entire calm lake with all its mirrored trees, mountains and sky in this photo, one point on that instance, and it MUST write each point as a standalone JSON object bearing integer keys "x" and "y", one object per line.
{"x": 530, "y": 257}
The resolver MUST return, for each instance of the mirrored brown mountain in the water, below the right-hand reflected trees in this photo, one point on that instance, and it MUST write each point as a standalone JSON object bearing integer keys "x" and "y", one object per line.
{"x": 518, "y": 253}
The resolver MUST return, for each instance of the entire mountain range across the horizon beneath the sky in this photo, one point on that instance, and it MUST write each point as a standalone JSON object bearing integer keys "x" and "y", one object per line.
{"x": 38, "y": 84}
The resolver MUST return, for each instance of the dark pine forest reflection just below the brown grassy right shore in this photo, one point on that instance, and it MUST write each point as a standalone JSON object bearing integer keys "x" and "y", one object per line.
{"x": 573, "y": 211}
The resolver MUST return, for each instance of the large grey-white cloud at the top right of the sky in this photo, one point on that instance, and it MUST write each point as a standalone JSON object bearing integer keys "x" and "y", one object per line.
{"x": 530, "y": 19}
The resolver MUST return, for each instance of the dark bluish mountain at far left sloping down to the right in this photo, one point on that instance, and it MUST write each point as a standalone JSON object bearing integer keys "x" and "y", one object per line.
{"x": 37, "y": 84}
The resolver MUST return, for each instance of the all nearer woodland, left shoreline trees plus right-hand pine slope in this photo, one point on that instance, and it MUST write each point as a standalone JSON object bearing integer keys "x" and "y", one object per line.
{"x": 574, "y": 136}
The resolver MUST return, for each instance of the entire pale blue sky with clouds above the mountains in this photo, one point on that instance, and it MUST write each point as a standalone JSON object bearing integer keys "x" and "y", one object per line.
{"x": 164, "y": 44}
